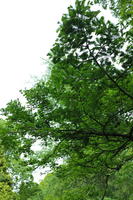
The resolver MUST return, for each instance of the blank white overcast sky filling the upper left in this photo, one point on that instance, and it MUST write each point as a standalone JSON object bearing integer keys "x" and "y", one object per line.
{"x": 27, "y": 31}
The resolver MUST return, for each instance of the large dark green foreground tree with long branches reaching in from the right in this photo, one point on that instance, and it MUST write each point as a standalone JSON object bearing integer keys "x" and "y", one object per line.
{"x": 86, "y": 107}
